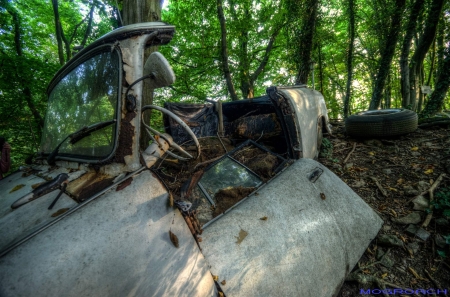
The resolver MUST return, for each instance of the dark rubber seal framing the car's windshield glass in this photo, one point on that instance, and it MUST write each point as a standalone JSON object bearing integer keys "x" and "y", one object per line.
{"x": 74, "y": 64}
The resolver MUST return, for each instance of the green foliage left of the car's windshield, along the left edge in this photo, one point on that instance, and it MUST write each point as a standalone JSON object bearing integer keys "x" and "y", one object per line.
{"x": 29, "y": 59}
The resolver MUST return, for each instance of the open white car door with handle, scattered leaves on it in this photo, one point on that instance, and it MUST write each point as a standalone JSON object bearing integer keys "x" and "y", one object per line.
{"x": 295, "y": 237}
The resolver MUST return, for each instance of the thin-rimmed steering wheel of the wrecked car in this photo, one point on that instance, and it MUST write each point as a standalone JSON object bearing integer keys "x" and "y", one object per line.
{"x": 169, "y": 139}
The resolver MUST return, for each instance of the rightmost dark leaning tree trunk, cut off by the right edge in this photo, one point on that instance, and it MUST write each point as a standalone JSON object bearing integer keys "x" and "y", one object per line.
{"x": 436, "y": 101}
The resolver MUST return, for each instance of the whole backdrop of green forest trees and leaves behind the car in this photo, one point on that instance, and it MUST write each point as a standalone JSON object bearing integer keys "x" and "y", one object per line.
{"x": 359, "y": 54}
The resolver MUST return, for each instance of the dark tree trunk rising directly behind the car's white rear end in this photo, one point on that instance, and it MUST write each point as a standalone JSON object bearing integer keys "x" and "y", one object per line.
{"x": 306, "y": 41}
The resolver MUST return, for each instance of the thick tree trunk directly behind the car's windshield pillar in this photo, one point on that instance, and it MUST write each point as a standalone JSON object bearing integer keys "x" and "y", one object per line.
{"x": 139, "y": 11}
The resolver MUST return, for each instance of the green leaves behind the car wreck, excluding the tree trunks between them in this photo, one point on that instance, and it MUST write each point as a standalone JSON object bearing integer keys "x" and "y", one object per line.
{"x": 29, "y": 62}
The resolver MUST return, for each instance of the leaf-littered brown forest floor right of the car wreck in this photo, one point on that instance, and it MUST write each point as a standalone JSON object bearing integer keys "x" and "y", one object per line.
{"x": 389, "y": 174}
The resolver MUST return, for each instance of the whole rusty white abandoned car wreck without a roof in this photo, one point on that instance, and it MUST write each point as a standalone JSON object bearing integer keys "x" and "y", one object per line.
{"x": 227, "y": 201}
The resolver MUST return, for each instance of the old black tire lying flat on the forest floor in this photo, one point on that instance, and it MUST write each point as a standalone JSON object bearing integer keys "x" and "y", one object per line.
{"x": 381, "y": 123}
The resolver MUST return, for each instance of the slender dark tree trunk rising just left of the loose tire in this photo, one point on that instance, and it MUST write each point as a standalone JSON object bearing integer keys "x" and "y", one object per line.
{"x": 351, "y": 33}
